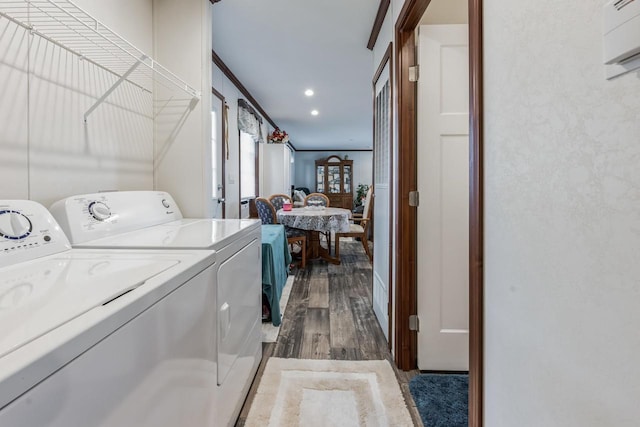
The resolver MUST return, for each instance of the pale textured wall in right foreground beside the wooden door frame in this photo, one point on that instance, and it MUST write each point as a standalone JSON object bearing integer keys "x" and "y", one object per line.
{"x": 562, "y": 221}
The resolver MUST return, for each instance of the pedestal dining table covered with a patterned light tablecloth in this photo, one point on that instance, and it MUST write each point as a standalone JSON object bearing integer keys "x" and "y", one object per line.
{"x": 317, "y": 220}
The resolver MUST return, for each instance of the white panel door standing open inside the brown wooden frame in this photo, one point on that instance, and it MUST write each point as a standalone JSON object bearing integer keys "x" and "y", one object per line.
{"x": 443, "y": 183}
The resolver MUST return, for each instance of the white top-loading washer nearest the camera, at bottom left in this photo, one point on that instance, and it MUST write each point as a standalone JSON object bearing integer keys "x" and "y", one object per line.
{"x": 102, "y": 337}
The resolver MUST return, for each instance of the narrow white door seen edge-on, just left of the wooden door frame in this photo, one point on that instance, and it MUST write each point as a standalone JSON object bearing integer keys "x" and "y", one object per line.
{"x": 381, "y": 191}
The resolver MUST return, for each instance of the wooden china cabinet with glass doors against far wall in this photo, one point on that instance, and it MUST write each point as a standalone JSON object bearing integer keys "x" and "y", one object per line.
{"x": 334, "y": 178}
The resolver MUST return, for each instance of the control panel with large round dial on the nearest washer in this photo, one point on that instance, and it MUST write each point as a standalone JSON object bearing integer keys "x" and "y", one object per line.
{"x": 28, "y": 231}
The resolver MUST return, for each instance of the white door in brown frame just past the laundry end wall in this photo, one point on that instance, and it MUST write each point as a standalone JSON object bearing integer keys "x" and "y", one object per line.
{"x": 217, "y": 139}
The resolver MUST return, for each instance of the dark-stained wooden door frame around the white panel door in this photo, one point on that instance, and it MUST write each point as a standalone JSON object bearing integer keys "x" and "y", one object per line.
{"x": 405, "y": 226}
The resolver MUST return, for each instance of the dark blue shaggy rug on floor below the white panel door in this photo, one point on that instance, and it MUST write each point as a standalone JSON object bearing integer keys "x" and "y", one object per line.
{"x": 442, "y": 399}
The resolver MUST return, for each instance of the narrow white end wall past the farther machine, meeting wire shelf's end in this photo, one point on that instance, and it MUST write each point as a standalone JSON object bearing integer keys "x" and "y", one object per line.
{"x": 183, "y": 126}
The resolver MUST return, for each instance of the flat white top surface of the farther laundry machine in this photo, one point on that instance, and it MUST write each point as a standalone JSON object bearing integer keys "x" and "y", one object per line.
{"x": 181, "y": 234}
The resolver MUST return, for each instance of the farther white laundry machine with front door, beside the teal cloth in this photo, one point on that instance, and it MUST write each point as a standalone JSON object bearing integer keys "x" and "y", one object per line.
{"x": 152, "y": 220}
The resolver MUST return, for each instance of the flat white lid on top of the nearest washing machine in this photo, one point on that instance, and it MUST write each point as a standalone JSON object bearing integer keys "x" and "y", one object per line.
{"x": 39, "y": 296}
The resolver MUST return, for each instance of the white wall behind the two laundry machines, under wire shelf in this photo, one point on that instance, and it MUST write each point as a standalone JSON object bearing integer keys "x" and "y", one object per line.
{"x": 46, "y": 150}
